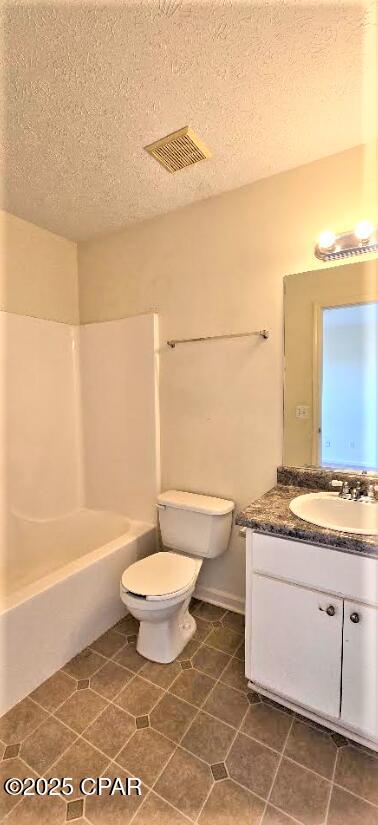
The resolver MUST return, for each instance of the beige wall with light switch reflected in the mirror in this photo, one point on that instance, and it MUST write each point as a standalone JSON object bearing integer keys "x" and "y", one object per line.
{"x": 351, "y": 283}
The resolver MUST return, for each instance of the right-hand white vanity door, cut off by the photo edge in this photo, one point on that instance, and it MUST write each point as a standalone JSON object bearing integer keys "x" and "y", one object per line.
{"x": 359, "y": 706}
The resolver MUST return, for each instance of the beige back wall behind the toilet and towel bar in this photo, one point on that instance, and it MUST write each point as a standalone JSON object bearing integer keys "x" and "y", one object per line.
{"x": 216, "y": 267}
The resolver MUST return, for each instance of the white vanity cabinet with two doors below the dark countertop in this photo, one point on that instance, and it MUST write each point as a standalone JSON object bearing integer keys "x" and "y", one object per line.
{"x": 312, "y": 631}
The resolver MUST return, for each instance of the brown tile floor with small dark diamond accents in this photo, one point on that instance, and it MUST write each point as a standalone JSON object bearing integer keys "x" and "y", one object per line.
{"x": 207, "y": 750}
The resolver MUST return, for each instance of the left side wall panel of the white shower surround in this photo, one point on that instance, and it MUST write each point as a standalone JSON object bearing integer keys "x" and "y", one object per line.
{"x": 40, "y": 414}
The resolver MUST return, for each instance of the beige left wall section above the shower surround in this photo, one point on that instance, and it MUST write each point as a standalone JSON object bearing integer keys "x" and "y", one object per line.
{"x": 38, "y": 271}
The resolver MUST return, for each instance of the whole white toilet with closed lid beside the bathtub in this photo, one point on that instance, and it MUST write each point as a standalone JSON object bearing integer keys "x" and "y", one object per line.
{"x": 157, "y": 590}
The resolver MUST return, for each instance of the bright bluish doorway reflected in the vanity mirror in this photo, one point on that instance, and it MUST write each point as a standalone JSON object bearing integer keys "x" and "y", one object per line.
{"x": 348, "y": 427}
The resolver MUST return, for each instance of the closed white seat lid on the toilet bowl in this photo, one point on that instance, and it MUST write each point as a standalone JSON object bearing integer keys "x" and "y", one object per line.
{"x": 161, "y": 574}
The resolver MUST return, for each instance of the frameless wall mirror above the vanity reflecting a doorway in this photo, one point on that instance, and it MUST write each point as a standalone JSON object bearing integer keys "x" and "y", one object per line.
{"x": 331, "y": 367}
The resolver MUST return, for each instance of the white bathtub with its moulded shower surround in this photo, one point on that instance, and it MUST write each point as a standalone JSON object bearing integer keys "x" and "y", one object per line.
{"x": 79, "y": 473}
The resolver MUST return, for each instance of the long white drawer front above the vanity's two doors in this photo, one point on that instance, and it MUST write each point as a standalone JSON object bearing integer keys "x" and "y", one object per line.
{"x": 322, "y": 568}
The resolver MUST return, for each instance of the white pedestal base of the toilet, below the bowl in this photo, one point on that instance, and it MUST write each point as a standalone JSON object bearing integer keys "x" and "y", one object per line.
{"x": 163, "y": 641}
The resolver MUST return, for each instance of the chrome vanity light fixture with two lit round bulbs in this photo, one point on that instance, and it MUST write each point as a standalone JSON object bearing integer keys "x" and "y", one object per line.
{"x": 332, "y": 247}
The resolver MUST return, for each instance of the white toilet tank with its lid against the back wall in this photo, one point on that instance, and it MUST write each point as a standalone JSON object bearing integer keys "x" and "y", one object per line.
{"x": 195, "y": 524}
